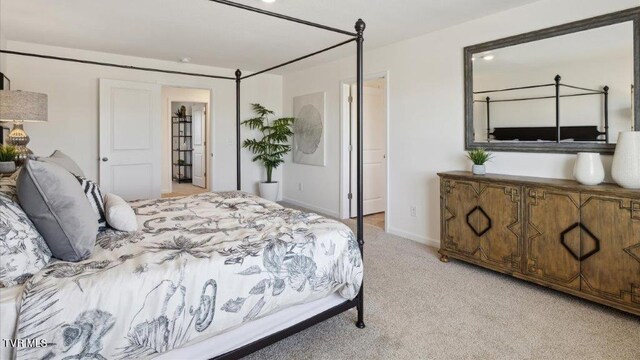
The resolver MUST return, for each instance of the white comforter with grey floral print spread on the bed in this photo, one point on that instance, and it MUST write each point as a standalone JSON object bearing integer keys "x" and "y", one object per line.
{"x": 198, "y": 266}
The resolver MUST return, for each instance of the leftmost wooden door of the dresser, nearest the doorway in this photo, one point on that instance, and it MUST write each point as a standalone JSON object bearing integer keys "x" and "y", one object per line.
{"x": 458, "y": 199}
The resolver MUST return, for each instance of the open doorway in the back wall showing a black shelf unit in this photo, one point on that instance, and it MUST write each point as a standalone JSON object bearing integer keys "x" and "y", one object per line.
{"x": 187, "y": 116}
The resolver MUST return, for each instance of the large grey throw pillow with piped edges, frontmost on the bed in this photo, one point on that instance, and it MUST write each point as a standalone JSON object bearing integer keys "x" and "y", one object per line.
{"x": 59, "y": 209}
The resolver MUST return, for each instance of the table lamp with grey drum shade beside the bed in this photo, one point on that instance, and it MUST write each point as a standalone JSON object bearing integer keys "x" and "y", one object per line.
{"x": 19, "y": 107}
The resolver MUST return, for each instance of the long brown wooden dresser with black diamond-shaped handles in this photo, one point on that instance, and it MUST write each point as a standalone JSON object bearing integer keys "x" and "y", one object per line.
{"x": 583, "y": 240}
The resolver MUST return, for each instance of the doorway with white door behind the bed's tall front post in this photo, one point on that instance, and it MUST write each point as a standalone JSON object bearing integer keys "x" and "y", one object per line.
{"x": 374, "y": 149}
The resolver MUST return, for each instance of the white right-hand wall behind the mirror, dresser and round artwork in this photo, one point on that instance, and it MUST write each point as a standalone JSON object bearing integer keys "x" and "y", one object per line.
{"x": 426, "y": 108}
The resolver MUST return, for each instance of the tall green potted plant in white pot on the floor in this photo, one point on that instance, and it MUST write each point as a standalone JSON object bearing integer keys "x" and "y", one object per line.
{"x": 271, "y": 147}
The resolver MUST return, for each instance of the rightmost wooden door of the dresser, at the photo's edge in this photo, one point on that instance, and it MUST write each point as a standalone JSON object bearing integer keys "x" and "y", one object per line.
{"x": 611, "y": 248}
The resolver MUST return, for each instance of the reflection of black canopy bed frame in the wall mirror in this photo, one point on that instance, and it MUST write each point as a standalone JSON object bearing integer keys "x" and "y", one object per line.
{"x": 557, "y": 133}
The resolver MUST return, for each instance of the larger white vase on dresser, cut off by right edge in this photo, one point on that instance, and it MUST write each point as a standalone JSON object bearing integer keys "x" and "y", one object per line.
{"x": 625, "y": 169}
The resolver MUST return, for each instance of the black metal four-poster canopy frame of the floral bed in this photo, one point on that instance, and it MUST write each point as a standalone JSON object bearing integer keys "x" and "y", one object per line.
{"x": 356, "y": 37}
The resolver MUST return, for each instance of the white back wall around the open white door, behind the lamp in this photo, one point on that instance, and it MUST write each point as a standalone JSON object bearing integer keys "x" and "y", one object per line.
{"x": 73, "y": 104}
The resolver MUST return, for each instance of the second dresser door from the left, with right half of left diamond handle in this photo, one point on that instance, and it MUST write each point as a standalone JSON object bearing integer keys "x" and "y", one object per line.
{"x": 499, "y": 221}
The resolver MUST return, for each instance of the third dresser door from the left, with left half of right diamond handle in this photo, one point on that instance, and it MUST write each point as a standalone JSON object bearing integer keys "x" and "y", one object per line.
{"x": 552, "y": 236}
